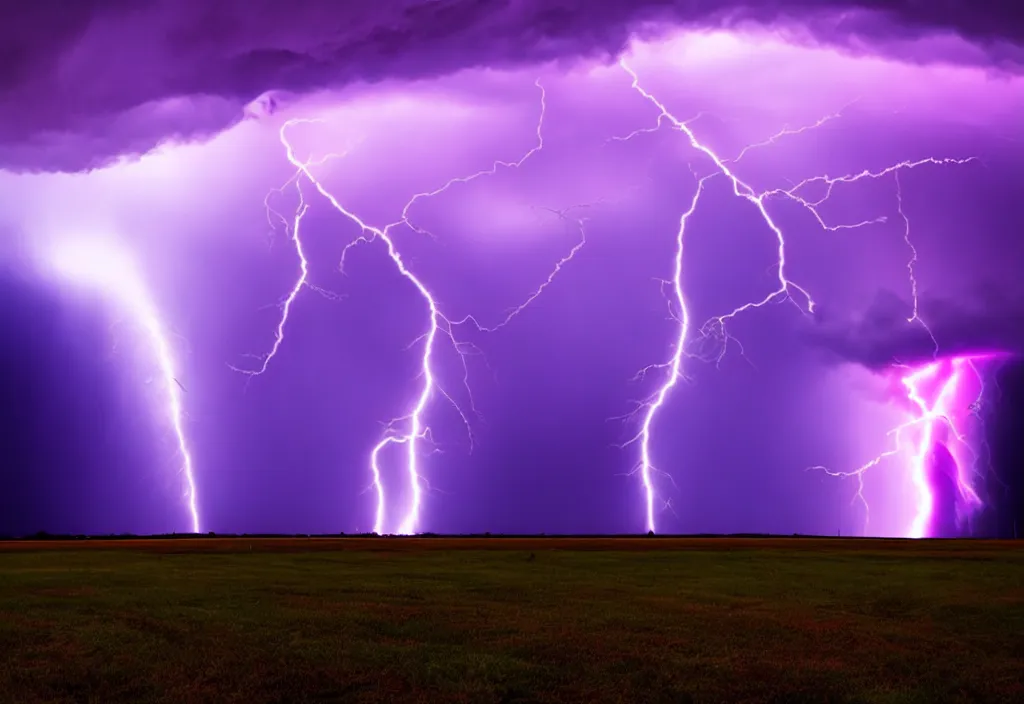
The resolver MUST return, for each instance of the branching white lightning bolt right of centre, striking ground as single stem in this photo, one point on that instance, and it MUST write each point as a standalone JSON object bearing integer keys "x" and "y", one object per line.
{"x": 713, "y": 334}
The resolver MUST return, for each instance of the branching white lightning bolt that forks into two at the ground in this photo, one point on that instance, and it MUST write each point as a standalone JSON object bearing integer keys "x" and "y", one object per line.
{"x": 414, "y": 428}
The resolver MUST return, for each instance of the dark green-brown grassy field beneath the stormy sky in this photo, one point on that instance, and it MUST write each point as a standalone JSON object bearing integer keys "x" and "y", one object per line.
{"x": 511, "y": 621}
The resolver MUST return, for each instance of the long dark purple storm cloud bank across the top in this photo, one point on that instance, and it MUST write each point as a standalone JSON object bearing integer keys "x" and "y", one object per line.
{"x": 80, "y": 80}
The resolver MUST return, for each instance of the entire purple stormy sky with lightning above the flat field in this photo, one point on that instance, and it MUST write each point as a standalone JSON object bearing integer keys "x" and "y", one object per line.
{"x": 244, "y": 244}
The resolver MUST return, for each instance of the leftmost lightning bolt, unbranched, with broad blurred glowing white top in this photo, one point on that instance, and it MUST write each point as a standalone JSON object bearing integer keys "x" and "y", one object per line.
{"x": 108, "y": 269}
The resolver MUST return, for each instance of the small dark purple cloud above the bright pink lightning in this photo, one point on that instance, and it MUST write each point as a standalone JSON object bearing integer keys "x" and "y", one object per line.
{"x": 987, "y": 323}
